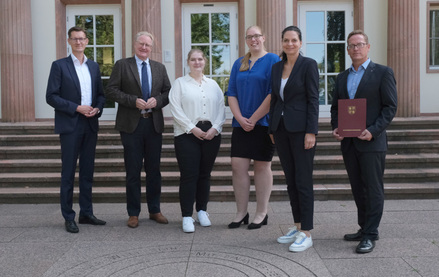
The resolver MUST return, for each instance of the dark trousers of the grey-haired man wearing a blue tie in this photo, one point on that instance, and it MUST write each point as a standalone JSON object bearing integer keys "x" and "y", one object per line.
{"x": 143, "y": 146}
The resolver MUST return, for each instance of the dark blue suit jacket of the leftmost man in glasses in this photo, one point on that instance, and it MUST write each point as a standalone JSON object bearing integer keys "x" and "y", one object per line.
{"x": 64, "y": 94}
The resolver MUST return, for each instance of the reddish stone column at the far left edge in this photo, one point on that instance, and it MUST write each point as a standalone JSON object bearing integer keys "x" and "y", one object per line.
{"x": 17, "y": 83}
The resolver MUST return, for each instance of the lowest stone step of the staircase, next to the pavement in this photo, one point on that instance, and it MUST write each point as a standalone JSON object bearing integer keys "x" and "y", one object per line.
{"x": 217, "y": 193}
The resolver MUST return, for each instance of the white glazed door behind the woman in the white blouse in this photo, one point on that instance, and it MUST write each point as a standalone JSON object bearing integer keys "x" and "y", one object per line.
{"x": 213, "y": 28}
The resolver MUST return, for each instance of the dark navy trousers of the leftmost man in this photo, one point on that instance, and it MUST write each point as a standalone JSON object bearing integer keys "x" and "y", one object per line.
{"x": 82, "y": 143}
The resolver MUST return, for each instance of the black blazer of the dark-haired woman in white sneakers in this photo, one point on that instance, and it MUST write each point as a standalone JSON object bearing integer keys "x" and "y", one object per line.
{"x": 300, "y": 106}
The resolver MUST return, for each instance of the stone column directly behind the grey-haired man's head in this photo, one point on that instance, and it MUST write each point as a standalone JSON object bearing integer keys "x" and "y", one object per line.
{"x": 146, "y": 16}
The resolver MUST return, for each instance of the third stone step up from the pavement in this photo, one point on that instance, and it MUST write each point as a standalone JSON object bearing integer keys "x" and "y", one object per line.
{"x": 321, "y": 162}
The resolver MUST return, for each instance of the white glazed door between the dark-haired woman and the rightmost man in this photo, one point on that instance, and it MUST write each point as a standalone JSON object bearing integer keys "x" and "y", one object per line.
{"x": 325, "y": 27}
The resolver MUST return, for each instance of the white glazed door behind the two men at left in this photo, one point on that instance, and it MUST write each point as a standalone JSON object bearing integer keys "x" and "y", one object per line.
{"x": 103, "y": 26}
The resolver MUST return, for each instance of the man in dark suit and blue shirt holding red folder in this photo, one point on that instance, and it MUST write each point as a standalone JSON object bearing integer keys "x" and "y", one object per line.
{"x": 364, "y": 156}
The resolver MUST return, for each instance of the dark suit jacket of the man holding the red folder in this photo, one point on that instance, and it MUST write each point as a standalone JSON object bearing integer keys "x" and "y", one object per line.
{"x": 378, "y": 87}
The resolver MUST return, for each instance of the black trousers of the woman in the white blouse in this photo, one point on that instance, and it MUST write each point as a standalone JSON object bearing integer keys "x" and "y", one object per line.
{"x": 195, "y": 159}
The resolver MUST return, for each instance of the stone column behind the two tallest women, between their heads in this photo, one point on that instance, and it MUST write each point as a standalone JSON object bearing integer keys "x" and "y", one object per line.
{"x": 270, "y": 16}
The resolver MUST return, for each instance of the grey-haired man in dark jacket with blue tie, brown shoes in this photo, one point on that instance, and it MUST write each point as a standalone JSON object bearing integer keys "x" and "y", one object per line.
{"x": 141, "y": 86}
